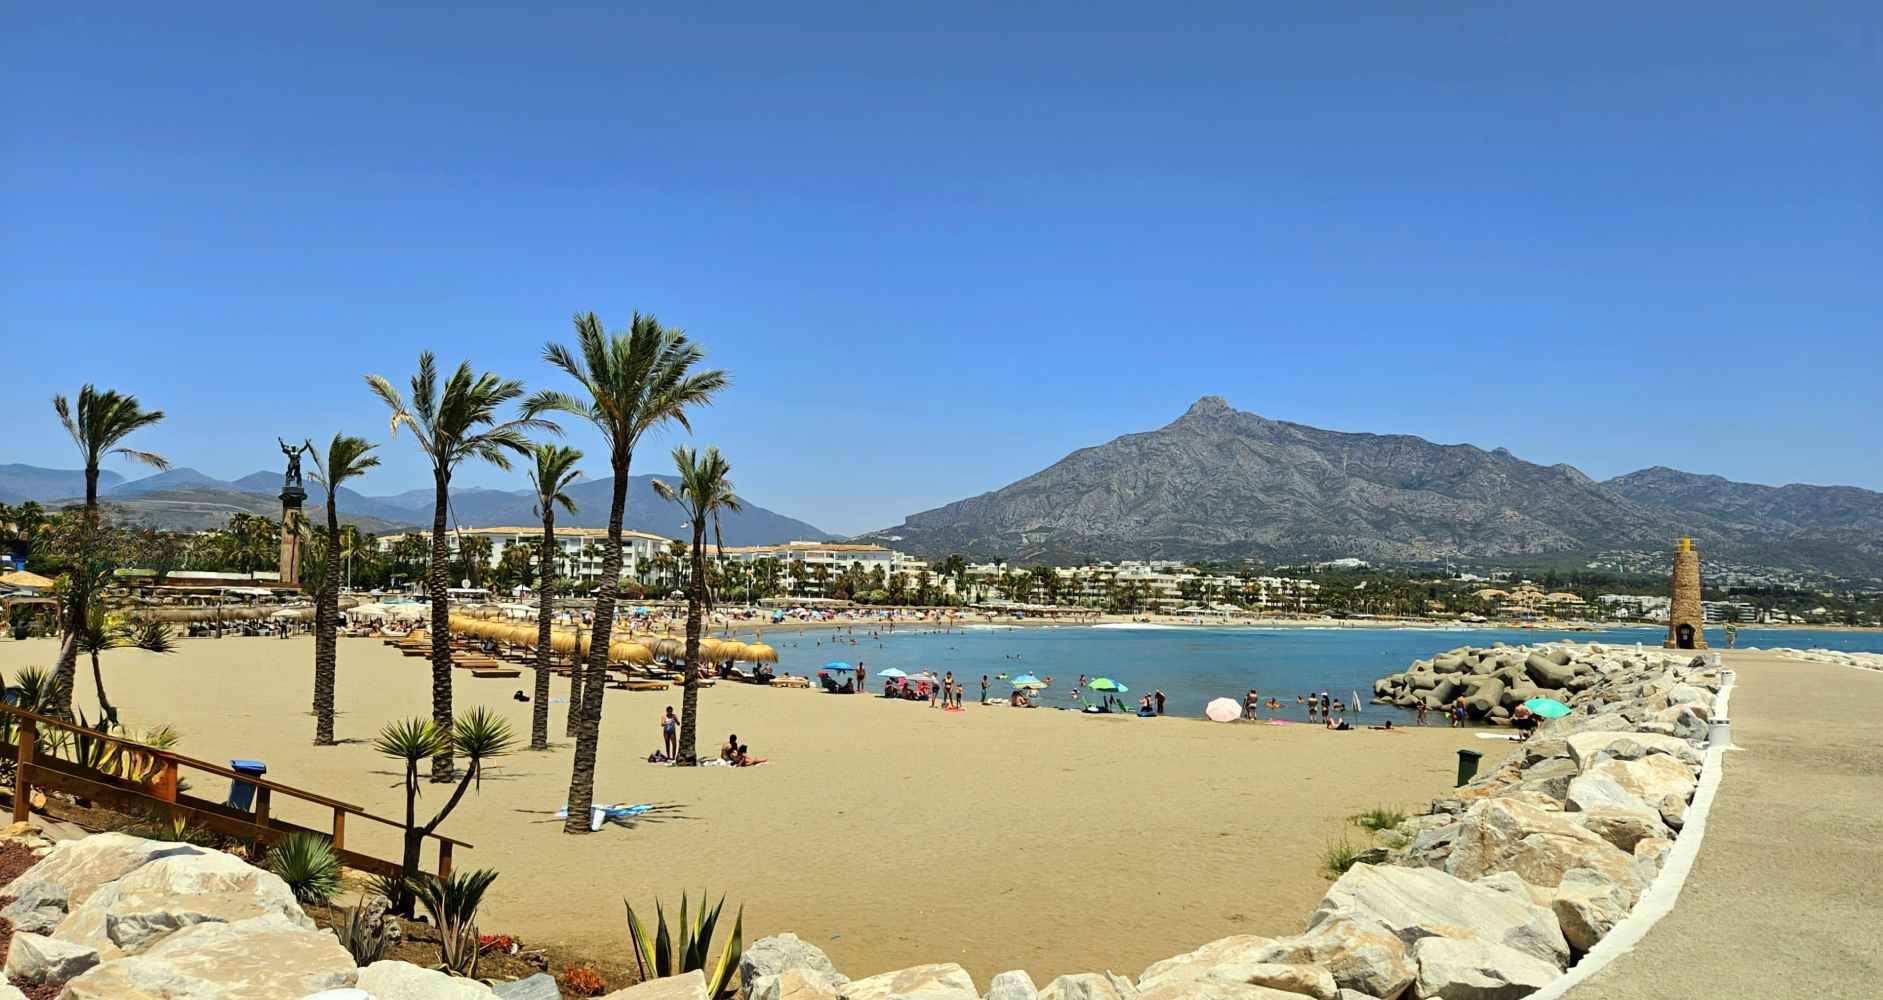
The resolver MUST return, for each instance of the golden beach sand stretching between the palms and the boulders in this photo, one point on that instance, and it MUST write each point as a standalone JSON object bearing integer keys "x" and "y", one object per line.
{"x": 886, "y": 833}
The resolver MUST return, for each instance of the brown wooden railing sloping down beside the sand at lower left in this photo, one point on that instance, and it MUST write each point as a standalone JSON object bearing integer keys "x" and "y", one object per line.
{"x": 159, "y": 794}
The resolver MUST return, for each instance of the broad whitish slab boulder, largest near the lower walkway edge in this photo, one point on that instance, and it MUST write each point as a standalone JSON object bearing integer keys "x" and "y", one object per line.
{"x": 1421, "y": 903}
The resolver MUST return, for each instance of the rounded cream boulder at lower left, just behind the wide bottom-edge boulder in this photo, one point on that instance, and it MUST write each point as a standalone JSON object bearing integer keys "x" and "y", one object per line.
{"x": 174, "y": 892}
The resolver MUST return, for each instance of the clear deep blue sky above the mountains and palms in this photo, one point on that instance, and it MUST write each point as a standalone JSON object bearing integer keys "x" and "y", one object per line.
{"x": 941, "y": 246}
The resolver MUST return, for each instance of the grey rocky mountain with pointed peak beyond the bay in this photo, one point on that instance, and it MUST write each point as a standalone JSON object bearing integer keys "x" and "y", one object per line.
{"x": 1229, "y": 485}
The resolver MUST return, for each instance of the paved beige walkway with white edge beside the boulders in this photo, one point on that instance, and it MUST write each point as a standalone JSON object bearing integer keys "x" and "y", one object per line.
{"x": 1786, "y": 897}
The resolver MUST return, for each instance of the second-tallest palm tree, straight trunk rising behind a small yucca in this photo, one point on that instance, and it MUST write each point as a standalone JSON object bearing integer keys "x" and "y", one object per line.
{"x": 451, "y": 425}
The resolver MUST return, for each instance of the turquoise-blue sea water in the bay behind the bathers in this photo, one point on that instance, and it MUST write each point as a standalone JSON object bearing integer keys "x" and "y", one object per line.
{"x": 1193, "y": 666}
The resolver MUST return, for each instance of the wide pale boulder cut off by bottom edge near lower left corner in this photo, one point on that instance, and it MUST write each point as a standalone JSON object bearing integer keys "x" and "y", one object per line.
{"x": 248, "y": 961}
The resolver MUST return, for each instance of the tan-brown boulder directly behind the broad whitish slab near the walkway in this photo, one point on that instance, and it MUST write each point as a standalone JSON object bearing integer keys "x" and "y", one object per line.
{"x": 1507, "y": 835}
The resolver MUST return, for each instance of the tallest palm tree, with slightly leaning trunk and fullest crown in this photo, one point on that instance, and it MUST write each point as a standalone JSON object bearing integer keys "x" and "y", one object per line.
{"x": 632, "y": 383}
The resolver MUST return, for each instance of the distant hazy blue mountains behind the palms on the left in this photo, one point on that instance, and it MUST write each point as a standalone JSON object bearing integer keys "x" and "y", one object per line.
{"x": 187, "y": 500}
